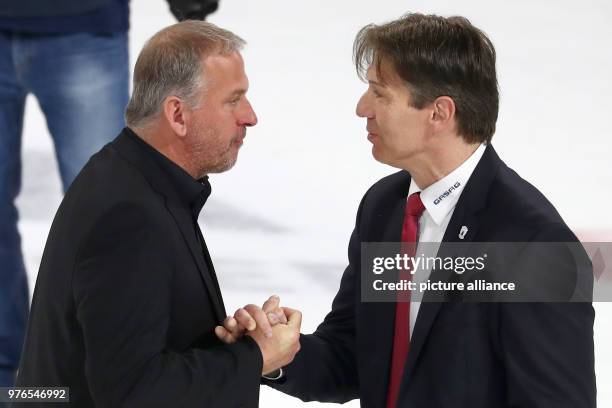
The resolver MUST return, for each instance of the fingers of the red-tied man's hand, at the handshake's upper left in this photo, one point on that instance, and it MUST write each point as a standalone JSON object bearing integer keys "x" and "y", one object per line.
{"x": 250, "y": 318}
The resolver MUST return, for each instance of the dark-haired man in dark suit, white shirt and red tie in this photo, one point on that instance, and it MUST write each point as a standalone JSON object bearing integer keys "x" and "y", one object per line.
{"x": 431, "y": 107}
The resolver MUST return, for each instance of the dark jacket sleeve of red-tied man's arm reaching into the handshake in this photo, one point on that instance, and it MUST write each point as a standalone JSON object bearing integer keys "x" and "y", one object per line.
{"x": 325, "y": 368}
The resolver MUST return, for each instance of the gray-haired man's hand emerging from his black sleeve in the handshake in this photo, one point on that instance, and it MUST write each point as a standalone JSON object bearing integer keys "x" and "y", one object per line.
{"x": 280, "y": 349}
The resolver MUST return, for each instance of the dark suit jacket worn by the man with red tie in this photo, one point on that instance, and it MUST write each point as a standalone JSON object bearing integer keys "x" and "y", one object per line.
{"x": 472, "y": 355}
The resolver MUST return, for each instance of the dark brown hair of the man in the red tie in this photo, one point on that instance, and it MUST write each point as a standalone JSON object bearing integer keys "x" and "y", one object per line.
{"x": 437, "y": 56}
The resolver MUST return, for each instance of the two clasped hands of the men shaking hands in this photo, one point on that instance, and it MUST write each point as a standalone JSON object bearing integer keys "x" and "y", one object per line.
{"x": 275, "y": 329}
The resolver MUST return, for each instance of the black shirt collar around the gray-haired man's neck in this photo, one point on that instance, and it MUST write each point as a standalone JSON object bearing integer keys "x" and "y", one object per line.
{"x": 191, "y": 192}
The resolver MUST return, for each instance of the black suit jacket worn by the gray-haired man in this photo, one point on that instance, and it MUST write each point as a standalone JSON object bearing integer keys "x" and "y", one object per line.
{"x": 126, "y": 298}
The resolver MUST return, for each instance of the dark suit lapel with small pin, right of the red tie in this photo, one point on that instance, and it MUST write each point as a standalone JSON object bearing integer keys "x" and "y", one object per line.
{"x": 466, "y": 213}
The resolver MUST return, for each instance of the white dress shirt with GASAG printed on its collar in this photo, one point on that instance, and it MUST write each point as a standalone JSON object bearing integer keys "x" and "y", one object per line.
{"x": 439, "y": 200}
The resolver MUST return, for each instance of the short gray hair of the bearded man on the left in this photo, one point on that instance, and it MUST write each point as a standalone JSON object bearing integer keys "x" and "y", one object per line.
{"x": 170, "y": 64}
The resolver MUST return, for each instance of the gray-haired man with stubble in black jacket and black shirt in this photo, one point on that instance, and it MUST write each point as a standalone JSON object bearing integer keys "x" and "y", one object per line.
{"x": 126, "y": 299}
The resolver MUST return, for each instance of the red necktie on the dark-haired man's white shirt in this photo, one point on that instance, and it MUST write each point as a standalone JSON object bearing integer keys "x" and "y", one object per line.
{"x": 401, "y": 336}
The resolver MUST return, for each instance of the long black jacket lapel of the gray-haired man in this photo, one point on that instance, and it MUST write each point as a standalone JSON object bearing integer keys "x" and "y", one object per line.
{"x": 134, "y": 154}
